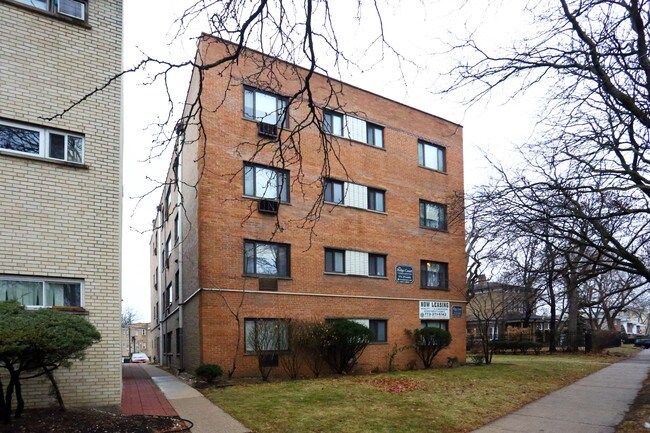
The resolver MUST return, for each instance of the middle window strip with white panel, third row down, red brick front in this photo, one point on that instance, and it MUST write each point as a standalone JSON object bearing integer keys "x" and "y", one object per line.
{"x": 350, "y": 262}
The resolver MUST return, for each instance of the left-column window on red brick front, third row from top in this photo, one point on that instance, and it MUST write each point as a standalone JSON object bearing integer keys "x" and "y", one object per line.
{"x": 266, "y": 258}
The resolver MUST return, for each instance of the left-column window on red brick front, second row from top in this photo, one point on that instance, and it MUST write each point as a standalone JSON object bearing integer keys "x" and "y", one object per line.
{"x": 266, "y": 182}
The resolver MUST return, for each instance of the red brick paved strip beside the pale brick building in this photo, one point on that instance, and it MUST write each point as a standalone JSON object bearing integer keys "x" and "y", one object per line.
{"x": 140, "y": 395}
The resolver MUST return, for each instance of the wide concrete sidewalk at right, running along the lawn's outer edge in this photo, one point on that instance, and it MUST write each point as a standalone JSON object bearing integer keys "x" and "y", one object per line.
{"x": 595, "y": 404}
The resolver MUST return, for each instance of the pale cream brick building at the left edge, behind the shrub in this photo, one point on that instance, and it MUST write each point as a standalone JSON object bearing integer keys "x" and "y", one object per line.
{"x": 60, "y": 179}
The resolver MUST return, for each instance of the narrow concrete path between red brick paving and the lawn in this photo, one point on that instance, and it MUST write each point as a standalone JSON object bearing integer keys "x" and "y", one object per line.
{"x": 192, "y": 405}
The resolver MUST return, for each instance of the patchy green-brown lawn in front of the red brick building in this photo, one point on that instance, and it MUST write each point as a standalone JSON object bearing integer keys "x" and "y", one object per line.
{"x": 440, "y": 400}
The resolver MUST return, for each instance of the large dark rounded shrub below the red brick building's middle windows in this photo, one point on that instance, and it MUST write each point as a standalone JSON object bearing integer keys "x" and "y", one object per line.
{"x": 344, "y": 343}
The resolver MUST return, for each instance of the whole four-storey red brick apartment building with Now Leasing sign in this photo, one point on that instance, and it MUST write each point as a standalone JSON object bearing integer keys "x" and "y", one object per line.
{"x": 382, "y": 252}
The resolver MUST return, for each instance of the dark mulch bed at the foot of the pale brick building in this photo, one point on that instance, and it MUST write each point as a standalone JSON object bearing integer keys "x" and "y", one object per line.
{"x": 91, "y": 421}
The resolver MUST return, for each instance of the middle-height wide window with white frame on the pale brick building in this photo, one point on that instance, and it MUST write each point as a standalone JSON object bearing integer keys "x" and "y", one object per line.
{"x": 45, "y": 143}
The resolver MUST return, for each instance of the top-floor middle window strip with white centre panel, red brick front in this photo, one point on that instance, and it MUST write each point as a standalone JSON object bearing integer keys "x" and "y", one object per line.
{"x": 344, "y": 125}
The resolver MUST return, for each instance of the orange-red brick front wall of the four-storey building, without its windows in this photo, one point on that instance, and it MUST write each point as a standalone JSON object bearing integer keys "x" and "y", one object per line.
{"x": 225, "y": 218}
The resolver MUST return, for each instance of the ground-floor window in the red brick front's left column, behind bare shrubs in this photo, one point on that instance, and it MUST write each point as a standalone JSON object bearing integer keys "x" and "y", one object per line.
{"x": 266, "y": 335}
